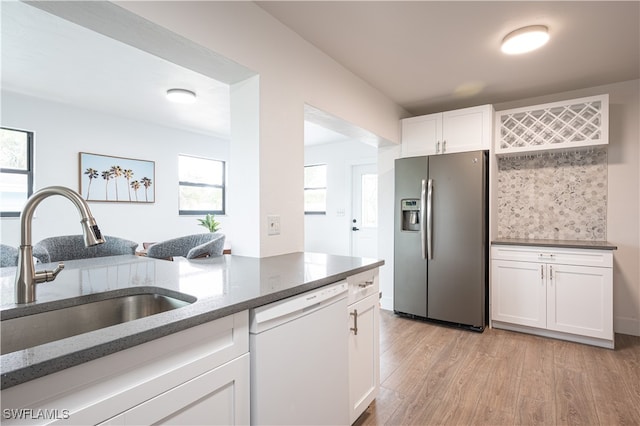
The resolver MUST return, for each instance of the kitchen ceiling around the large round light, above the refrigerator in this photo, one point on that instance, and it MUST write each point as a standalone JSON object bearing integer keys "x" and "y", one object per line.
{"x": 432, "y": 56}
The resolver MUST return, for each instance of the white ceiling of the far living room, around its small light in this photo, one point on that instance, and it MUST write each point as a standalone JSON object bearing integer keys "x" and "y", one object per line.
{"x": 51, "y": 58}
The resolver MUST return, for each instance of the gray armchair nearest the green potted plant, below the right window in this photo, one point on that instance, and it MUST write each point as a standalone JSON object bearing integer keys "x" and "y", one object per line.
{"x": 190, "y": 246}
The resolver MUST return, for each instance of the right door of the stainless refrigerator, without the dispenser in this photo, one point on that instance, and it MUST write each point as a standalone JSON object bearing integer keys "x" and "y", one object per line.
{"x": 456, "y": 271}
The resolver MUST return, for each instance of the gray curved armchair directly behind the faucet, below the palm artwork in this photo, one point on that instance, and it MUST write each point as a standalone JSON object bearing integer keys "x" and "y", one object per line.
{"x": 69, "y": 247}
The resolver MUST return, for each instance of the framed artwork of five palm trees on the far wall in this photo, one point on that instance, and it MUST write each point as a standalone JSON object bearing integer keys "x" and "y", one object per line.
{"x": 116, "y": 179}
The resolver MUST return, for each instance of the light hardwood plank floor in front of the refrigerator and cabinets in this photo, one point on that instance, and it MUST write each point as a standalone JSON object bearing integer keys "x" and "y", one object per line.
{"x": 435, "y": 375}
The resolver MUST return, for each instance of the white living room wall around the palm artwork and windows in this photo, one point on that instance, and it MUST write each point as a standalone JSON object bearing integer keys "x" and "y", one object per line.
{"x": 62, "y": 131}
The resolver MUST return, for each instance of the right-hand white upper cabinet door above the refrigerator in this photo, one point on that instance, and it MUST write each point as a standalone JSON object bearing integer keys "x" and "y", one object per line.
{"x": 467, "y": 129}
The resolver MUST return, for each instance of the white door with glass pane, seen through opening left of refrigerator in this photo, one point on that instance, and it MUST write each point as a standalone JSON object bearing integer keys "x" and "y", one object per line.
{"x": 364, "y": 208}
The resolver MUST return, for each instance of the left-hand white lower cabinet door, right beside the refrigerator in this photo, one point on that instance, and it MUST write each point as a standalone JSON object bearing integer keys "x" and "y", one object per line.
{"x": 518, "y": 293}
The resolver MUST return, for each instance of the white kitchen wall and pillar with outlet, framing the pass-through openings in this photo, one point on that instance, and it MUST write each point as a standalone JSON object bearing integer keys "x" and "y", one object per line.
{"x": 292, "y": 73}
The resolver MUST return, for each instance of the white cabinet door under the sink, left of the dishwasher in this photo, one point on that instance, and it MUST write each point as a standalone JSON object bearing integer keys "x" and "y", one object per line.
{"x": 218, "y": 397}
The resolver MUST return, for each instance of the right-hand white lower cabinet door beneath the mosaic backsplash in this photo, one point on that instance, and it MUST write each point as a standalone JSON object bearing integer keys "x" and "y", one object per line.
{"x": 580, "y": 300}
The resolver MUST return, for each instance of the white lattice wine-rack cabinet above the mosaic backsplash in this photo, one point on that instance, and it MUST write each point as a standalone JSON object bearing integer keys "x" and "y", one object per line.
{"x": 566, "y": 125}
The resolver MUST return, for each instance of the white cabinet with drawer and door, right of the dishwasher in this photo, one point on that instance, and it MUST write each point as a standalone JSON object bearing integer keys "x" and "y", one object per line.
{"x": 364, "y": 341}
